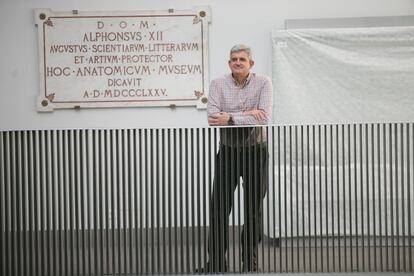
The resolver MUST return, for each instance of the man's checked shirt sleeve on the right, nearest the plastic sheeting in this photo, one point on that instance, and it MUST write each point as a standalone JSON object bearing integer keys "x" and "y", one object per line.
{"x": 265, "y": 103}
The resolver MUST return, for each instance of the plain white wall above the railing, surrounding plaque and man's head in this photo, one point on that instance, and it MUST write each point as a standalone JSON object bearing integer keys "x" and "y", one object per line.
{"x": 234, "y": 21}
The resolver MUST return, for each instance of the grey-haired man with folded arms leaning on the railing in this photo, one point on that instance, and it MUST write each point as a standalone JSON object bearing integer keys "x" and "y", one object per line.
{"x": 239, "y": 98}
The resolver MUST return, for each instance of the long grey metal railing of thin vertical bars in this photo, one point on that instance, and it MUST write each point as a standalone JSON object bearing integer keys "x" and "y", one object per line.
{"x": 137, "y": 201}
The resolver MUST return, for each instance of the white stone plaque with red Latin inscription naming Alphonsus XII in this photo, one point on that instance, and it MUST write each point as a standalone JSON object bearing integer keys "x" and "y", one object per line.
{"x": 119, "y": 59}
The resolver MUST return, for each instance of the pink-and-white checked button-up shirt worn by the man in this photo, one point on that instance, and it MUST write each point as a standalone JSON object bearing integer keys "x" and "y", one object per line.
{"x": 226, "y": 95}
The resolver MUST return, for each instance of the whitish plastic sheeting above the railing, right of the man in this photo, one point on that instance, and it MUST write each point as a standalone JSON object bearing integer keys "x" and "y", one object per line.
{"x": 343, "y": 75}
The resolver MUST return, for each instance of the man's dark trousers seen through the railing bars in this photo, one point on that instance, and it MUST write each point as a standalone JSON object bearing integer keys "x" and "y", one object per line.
{"x": 250, "y": 163}
